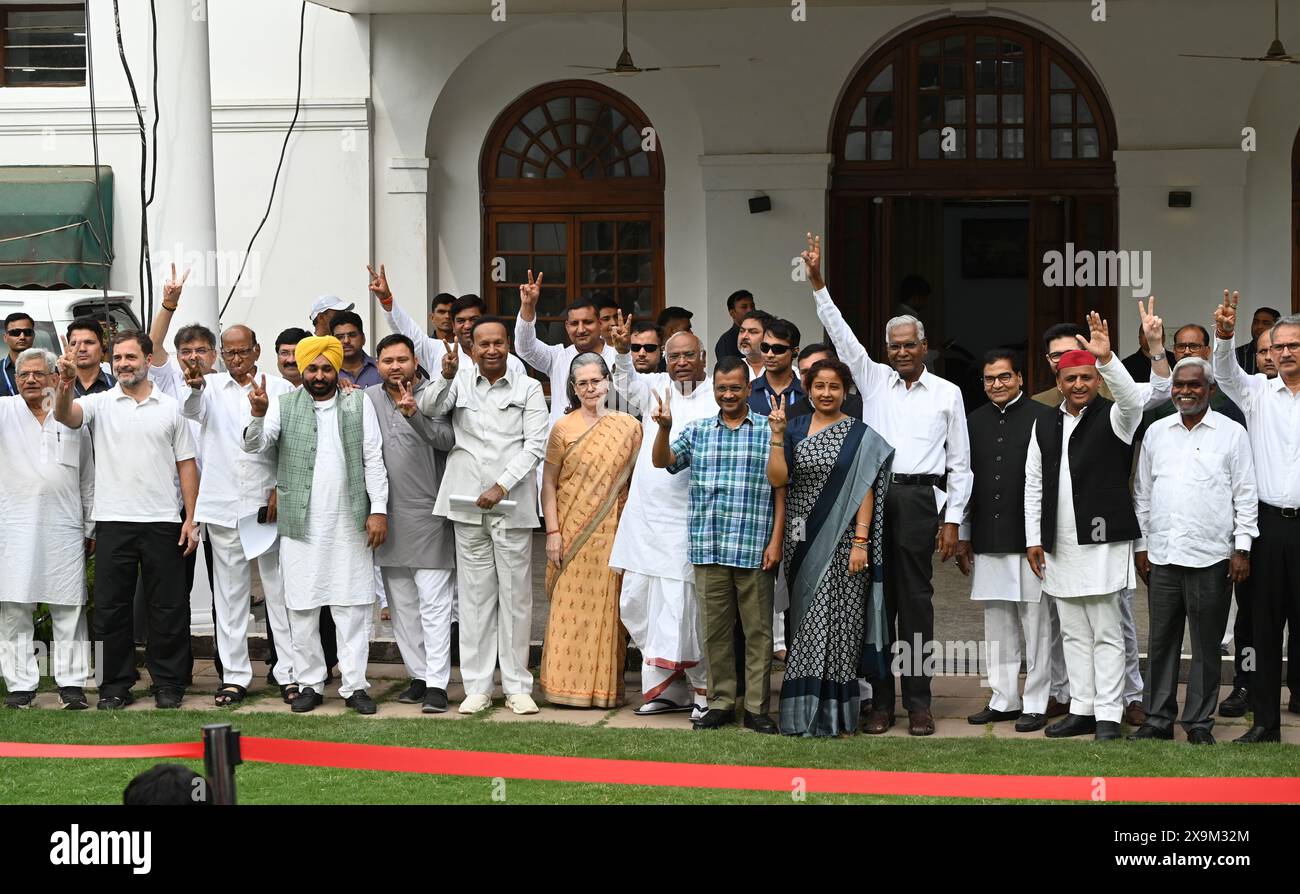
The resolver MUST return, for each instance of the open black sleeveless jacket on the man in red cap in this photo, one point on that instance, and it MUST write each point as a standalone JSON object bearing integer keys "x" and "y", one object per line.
{"x": 1100, "y": 463}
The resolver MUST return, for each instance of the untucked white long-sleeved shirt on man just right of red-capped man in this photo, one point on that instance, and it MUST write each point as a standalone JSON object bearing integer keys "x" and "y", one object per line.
{"x": 1195, "y": 492}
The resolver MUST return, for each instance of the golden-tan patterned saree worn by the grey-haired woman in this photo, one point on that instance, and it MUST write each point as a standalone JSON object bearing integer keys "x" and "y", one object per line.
{"x": 586, "y": 646}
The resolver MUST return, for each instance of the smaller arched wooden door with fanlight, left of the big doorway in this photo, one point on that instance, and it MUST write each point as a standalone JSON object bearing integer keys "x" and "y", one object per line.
{"x": 571, "y": 190}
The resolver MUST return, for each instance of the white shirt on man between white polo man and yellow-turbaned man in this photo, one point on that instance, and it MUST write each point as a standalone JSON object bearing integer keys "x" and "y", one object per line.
{"x": 236, "y": 484}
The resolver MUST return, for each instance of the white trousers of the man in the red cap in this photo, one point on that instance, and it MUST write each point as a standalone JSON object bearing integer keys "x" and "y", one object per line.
{"x": 1093, "y": 633}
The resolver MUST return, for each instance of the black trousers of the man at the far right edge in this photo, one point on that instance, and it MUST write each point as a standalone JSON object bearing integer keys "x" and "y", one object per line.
{"x": 1276, "y": 597}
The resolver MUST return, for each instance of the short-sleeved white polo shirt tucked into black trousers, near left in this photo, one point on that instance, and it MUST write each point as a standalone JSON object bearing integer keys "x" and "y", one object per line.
{"x": 138, "y": 446}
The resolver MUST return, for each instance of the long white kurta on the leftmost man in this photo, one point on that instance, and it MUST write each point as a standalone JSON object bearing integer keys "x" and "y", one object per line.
{"x": 45, "y": 507}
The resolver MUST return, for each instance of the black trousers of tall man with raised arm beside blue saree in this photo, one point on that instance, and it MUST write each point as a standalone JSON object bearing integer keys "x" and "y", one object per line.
{"x": 912, "y": 524}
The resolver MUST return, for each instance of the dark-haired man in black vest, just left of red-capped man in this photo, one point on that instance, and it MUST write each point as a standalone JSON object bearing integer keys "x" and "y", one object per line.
{"x": 995, "y": 527}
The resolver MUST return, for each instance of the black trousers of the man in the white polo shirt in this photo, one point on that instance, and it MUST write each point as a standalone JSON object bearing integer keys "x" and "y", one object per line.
{"x": 124, "y": 552}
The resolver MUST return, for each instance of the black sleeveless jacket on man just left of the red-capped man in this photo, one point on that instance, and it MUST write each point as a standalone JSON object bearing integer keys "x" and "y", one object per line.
{"x": 1000, "y": 441}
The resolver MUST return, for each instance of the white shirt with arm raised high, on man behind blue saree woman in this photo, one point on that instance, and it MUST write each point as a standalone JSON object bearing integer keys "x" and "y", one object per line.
{"x": 925, "y": 424}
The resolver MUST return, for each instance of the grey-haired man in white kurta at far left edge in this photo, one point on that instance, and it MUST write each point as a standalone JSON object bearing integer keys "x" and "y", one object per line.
{"x": 46, "y": 507}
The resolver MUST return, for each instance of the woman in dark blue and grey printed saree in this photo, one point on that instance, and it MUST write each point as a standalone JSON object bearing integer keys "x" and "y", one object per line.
{"x": 838, "y": 471}
